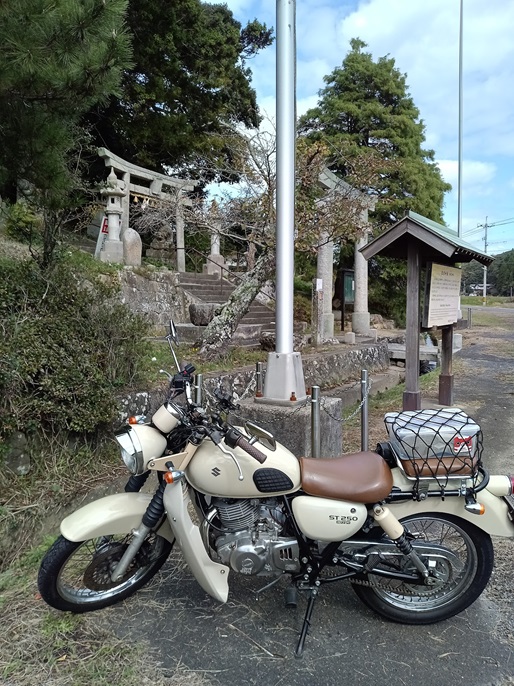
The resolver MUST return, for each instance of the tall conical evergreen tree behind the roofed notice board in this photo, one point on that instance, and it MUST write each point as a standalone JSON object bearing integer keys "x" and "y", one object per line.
{"x": 366, "y": 103}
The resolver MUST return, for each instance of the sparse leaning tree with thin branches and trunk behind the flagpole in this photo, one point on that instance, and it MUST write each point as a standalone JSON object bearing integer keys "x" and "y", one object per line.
{"x": 246, "y": 210}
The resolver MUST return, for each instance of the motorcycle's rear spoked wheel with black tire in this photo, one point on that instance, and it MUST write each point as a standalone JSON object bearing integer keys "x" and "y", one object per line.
{"x": 462, "y": 562}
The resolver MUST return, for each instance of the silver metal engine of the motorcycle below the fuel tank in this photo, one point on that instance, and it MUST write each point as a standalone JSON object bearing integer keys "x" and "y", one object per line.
{"x": 249, "y": 540}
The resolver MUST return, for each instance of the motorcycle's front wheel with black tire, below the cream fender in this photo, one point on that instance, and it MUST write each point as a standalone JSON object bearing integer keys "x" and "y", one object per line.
{"x": 76, "y": 577}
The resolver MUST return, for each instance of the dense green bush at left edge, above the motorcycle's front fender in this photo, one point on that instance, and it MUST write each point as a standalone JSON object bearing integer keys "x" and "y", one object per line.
{"x": 66, "y": 346}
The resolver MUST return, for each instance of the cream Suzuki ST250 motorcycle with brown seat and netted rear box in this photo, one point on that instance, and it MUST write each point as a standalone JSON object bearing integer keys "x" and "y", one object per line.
{"x": 409, "y": 525}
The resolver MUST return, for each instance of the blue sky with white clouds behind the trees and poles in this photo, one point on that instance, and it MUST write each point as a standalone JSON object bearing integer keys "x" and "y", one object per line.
{"x": 423, "y": 38}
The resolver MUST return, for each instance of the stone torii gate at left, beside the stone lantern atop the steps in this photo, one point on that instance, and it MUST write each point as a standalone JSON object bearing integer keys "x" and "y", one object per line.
{"x": 149, "y": 185}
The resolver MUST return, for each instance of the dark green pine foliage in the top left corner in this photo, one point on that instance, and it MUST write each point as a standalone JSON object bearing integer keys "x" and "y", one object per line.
{"x": 58, "y": 58}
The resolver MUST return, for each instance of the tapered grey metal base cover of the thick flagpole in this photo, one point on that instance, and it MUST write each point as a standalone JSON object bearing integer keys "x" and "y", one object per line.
{"x": 284, "y": 382}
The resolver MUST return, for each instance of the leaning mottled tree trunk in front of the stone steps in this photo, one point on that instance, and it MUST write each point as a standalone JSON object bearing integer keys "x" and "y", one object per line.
{"x": 219, "y": 332}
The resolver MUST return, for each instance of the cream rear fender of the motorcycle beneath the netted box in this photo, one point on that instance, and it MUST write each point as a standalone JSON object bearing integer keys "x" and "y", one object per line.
{"x": 494, "y": 521}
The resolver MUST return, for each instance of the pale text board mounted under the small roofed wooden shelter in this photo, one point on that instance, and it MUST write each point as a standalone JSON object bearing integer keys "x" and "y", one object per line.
{"x": 441, "y": 295}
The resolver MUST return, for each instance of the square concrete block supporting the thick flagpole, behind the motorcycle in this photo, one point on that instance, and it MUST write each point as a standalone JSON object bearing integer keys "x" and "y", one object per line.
{"x": 292, "y": 426}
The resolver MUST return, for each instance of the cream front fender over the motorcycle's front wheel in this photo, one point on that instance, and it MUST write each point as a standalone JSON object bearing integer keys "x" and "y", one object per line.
{"x": 119, "y": 513}
